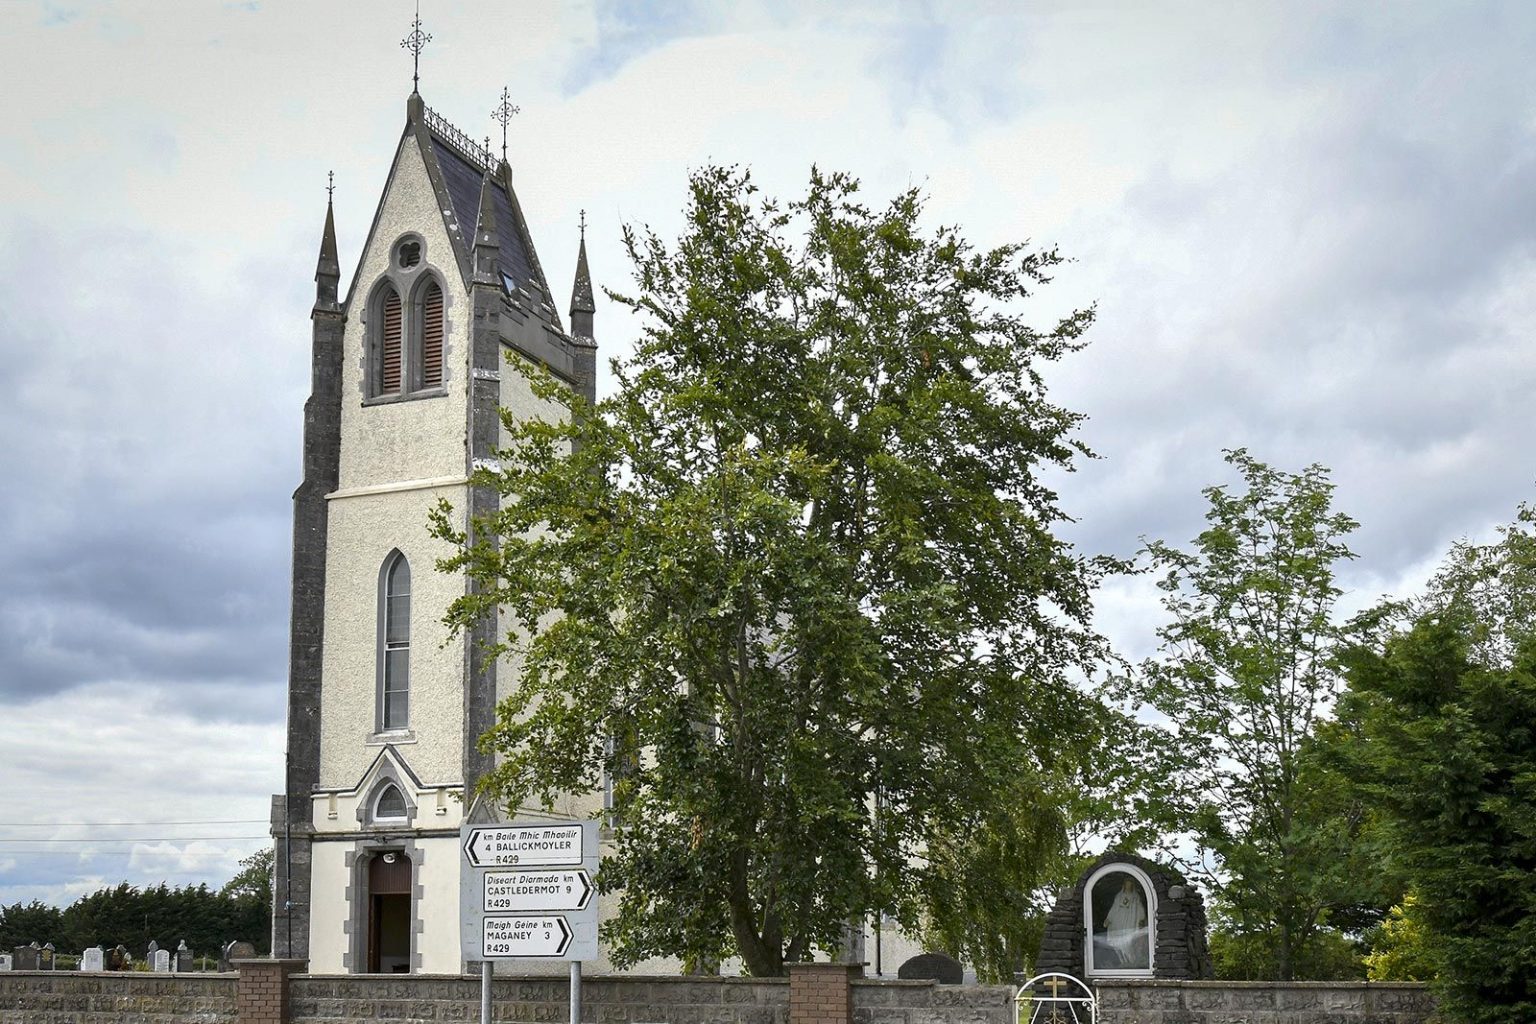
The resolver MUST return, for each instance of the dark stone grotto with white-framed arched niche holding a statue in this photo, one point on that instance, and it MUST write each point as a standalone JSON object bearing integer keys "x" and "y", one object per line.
{"x": 1127, "y": 917}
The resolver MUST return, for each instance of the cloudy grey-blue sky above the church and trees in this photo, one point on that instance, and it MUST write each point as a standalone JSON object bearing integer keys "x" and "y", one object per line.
{"x": 1309, "y": 231}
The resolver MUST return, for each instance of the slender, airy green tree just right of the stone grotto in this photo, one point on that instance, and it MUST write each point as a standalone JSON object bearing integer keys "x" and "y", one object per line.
{"x": 1245, "y": 678}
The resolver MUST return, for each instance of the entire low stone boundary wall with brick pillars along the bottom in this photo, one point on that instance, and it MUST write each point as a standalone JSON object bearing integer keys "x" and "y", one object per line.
{"x": 70, "y": 997}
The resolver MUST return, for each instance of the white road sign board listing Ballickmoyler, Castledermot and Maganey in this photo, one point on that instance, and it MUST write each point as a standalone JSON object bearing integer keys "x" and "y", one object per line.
{"x": 526, "y": 891}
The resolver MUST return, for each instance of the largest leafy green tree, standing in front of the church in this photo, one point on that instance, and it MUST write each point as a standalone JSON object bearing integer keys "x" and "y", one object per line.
{"x": 796, "y": 584}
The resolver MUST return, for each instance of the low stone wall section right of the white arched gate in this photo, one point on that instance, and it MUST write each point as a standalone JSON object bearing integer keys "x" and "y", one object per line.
{"x": 1144, "y": 1002}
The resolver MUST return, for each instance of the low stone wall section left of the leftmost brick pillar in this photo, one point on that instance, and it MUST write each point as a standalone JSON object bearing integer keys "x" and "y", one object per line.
{"x": 70, "y": 997}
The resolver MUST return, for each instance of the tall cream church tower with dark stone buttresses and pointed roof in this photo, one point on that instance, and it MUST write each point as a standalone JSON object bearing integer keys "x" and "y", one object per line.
{"x": 409, "y": 374}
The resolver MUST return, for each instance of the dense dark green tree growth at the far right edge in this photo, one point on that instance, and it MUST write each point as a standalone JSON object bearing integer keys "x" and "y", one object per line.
{"x": 1446, "y": 753}
